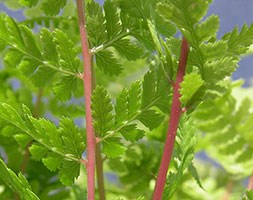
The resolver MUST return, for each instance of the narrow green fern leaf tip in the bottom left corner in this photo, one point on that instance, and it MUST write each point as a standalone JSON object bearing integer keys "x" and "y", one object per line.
{"x": 17, "y": 183}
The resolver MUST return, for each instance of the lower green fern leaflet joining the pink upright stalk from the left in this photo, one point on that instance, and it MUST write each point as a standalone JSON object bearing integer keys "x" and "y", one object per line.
{"x": 55, "y": 147}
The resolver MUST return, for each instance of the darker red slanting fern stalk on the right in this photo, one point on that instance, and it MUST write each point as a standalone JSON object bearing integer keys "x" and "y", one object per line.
{"x": 173, "y": 123}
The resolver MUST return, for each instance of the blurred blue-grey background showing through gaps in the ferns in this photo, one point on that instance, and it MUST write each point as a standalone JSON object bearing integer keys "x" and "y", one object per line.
{"x": 231, "y": 13}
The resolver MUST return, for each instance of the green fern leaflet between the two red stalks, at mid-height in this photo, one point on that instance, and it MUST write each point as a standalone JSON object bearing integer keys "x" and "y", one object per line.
{"x": 127, "y": 110}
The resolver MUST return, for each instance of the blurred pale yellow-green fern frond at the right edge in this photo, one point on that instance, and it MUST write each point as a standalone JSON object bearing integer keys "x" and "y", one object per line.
{"x": 229, "y": 128}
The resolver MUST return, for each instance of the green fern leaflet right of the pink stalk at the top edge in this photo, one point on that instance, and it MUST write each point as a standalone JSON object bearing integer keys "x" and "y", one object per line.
{"x": 106, "y": 30}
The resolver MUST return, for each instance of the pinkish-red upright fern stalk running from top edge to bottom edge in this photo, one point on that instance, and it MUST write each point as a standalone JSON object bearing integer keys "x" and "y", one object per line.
{"x": 87, "y": 82}
